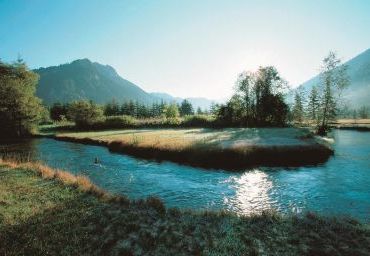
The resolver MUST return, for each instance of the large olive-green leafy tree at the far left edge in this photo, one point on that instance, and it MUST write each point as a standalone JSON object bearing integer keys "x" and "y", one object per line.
{"x": 20, "y": 109}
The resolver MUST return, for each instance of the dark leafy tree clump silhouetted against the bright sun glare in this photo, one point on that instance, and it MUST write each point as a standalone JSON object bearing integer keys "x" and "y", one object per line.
{"x": 258, "y": 100}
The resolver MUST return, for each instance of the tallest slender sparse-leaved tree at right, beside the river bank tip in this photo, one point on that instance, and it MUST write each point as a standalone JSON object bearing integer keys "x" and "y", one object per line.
{"x": 333, "y": 80}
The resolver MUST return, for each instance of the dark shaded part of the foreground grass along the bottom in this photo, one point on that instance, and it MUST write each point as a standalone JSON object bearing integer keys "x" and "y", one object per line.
{"x": 83, "y": 226}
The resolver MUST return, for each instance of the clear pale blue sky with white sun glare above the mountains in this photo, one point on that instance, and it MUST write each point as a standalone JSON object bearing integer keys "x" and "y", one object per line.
{"x": 185, "y": 48}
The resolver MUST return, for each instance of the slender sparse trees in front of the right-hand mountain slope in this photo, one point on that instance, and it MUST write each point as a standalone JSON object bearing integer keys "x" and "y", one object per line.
{"x": 323, "y": 102}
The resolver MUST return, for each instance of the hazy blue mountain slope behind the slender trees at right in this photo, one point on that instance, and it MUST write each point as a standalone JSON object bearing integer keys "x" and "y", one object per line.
{"x": 358, "y": 70}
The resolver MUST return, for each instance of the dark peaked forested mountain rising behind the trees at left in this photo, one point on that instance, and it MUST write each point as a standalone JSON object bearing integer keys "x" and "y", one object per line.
{"x": 83, "y": 79}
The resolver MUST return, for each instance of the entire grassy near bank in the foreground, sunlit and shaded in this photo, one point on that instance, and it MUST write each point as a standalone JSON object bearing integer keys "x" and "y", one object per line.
{"x": 50, "y": 212}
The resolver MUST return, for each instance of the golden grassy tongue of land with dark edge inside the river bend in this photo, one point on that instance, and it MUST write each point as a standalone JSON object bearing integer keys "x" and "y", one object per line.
{"x": 233, "y": 149}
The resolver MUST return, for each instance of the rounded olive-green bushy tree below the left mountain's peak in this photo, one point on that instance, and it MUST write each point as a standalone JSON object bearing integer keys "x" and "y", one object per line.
{"x": 85, "y": 113}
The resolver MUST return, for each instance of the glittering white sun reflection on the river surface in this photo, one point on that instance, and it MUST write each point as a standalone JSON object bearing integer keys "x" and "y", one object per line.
{"x": 251, "y": 193}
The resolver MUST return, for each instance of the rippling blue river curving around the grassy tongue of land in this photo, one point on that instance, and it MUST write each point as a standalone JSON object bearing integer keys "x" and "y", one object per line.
{"x": 339, "y": 187}
